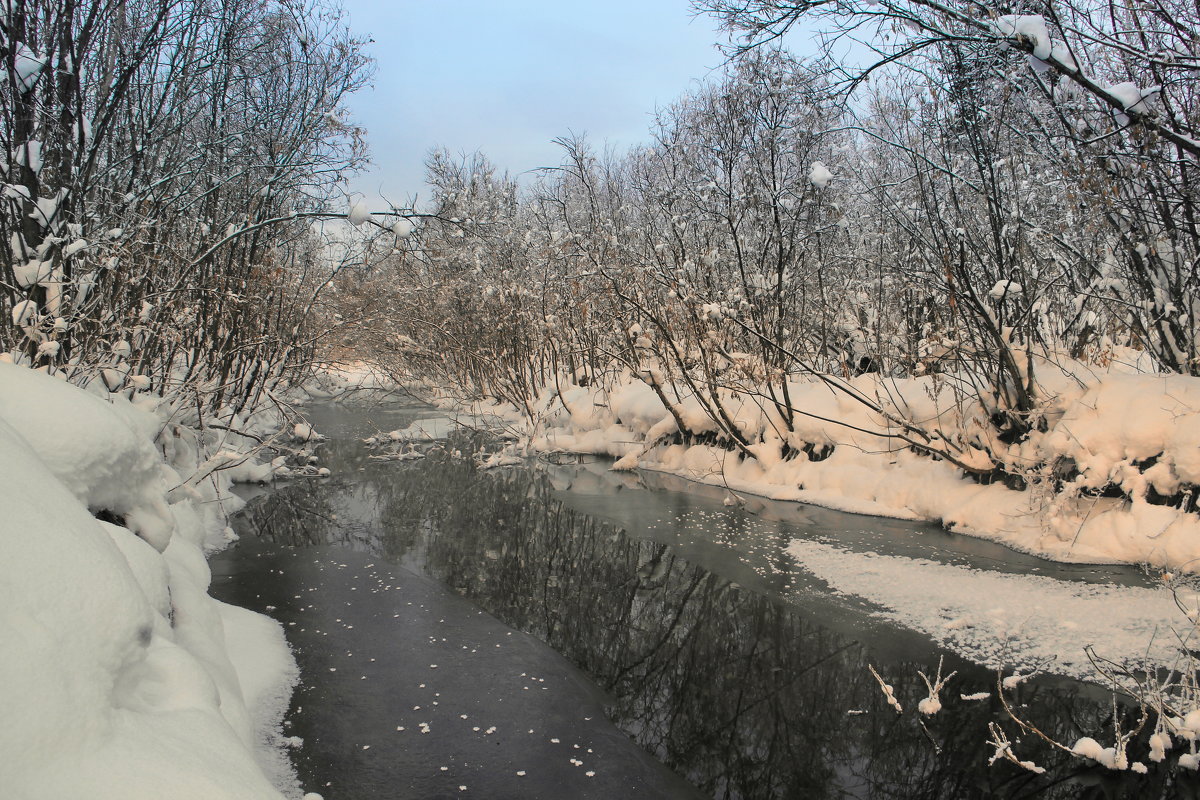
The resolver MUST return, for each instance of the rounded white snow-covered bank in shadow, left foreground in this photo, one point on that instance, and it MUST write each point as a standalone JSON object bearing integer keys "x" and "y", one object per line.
{"x": 119, "y": 676}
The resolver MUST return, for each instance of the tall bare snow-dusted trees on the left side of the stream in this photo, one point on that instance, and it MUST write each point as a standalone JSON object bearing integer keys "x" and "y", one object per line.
{"x": 164, "y": 163}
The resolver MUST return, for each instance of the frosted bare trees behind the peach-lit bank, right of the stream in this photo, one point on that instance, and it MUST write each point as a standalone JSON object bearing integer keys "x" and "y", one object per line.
{"x": 992, "y": 197}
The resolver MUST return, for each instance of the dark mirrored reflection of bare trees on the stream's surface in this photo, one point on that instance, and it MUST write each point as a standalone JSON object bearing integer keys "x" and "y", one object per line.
{"x": 746, "y": 697}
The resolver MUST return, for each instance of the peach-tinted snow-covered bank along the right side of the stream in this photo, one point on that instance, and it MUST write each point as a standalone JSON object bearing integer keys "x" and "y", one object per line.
{"x": 1111, "y": 479}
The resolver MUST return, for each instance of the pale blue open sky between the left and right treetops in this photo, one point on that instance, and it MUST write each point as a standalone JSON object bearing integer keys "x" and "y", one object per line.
{"x": 508, "y": 77}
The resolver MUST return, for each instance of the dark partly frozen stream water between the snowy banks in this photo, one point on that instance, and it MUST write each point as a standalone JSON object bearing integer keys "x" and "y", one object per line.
{"x": 557, "y": 599}
